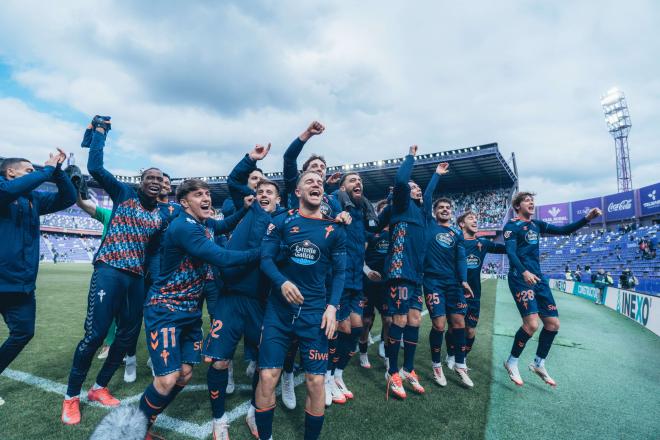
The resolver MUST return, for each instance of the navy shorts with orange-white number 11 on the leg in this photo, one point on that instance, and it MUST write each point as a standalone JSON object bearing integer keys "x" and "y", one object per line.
{"x": 173, "y": 338}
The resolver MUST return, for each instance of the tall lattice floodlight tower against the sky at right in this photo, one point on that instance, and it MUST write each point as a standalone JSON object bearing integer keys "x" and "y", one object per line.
{"x": 617, "y": 117}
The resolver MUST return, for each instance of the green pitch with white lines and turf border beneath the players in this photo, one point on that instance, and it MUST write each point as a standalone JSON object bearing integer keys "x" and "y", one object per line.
{"x": 606, "y": 367}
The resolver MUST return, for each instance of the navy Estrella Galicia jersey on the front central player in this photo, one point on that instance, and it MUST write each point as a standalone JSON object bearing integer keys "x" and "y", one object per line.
{"x": 312, "y": 248}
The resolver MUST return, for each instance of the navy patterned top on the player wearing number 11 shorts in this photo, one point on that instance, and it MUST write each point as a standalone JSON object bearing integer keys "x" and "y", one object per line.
{"x": 187, "y": 250}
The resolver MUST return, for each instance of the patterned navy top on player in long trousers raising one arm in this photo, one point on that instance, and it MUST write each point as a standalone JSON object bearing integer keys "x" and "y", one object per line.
{"x": 132, "y": 225}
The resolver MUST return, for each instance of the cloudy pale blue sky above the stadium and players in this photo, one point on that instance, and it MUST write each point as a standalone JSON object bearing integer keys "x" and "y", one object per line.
{"x": 192, "y": 86}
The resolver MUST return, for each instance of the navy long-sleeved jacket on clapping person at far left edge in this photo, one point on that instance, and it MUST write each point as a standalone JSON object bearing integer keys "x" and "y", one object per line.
{"x": 20, "y": 208}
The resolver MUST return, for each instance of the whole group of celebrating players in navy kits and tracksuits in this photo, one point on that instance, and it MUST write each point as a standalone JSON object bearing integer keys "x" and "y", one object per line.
{"x": 299, "y": 269}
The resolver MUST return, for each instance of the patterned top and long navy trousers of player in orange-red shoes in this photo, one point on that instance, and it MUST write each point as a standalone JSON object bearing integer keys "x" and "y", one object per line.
{"x": 117, "y": 284}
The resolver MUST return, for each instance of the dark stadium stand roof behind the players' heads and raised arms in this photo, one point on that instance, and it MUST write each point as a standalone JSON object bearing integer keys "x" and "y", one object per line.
{"x": 471, "y": 168}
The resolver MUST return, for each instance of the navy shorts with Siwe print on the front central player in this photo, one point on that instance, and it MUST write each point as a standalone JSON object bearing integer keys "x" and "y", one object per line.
{"x": 281, "y": 328}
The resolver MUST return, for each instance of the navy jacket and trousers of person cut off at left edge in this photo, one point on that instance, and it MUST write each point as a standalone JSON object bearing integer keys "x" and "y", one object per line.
{"x": 20, "y": 208}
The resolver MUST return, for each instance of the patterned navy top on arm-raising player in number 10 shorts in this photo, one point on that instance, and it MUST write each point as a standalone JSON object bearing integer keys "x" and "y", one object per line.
{"x": 408, "y": 223}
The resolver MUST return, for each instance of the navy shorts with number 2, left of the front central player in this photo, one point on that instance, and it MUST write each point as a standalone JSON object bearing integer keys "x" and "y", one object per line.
{"x": 235, "y": 316}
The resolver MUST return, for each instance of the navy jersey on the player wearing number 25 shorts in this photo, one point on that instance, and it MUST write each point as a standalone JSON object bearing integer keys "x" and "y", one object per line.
{"x": 445, "y": 255}
